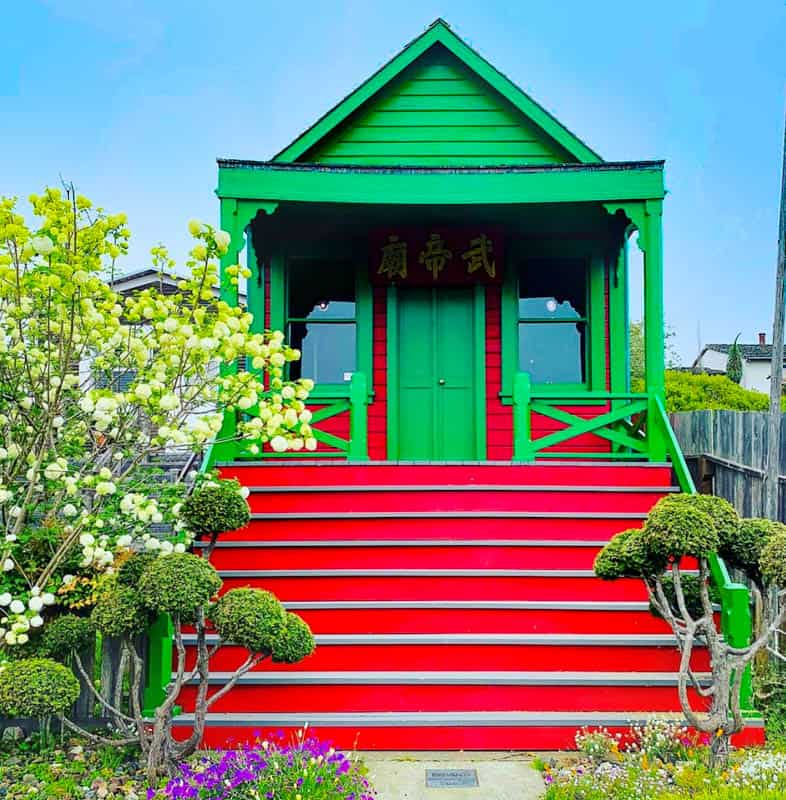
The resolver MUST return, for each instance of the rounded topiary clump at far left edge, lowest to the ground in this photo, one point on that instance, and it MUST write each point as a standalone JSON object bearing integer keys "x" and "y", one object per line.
{"x": 37, "y": 687}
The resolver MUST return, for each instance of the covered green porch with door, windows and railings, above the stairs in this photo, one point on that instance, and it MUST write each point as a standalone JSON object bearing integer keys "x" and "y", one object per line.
{"x": 457, "y": 314}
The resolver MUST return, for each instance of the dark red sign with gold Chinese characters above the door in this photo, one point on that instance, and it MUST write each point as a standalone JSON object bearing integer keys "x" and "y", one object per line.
{"x": 436, "y": 257}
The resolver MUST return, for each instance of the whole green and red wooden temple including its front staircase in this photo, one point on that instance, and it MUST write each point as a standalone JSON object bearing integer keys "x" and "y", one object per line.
{"x": 452, "y": 262}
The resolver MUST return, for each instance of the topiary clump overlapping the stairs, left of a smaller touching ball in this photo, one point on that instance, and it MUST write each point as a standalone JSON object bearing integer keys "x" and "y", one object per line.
{"x": 252, "y": 618}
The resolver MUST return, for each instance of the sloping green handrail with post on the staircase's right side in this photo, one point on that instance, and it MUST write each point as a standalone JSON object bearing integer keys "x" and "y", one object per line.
{"x": 736, "y": 620}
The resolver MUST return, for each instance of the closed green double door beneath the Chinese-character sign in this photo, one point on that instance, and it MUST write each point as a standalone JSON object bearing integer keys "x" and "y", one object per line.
{"x": 438, "y": 375}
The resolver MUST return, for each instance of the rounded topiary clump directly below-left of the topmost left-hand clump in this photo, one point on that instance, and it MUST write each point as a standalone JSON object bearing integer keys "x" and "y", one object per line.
{"x": 178, "y": 583}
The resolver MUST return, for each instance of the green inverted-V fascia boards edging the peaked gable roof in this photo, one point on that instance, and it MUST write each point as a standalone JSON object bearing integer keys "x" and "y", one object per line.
{"x": 439, "y": 32}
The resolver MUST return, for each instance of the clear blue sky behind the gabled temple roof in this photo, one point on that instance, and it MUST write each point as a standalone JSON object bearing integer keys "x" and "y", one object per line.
{"x": 134, "y": 99}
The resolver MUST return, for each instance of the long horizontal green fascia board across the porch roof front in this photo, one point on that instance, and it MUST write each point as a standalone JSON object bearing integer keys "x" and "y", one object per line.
{"x": 563, "y": 183}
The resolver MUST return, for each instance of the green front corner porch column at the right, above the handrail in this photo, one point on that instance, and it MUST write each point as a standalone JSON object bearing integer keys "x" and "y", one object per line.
{"x": 651, "y": 244}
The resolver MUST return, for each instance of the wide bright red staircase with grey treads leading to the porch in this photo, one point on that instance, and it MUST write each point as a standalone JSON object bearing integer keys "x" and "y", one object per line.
{"x": 454, "y": 606}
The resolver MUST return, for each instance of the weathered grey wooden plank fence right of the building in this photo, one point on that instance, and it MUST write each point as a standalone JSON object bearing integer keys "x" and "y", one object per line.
{"x": 726, "y": 452}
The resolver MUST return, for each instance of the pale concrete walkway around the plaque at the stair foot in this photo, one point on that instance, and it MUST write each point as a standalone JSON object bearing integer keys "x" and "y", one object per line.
{"x": 501, "y": 776}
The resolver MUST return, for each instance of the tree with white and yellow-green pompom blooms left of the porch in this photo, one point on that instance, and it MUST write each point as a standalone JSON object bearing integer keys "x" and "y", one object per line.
{"x": 95, "y": 386}
